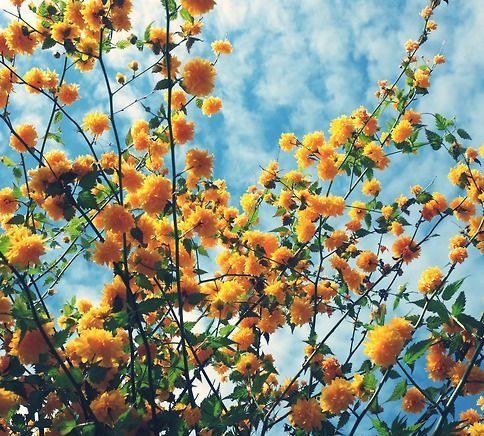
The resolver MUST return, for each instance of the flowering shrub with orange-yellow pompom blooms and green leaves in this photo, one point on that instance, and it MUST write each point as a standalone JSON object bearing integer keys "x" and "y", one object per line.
{"x": 170, "y": 348}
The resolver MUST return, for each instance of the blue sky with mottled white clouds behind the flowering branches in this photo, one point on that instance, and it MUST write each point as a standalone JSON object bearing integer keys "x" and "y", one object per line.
{"x": 296, "y": 65}
